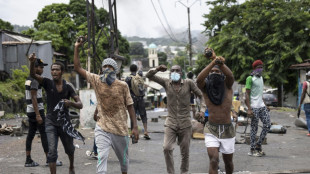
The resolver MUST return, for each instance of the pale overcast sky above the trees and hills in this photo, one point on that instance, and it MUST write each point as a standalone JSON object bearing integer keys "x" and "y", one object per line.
{"x": 135, "y": 17}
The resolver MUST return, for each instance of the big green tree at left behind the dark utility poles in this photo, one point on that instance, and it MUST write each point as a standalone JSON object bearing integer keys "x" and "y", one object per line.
{"x": 63, "y": 23}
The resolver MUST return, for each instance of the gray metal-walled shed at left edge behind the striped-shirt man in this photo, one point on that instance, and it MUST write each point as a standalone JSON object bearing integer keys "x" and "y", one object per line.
{"x": 13, "y": 50}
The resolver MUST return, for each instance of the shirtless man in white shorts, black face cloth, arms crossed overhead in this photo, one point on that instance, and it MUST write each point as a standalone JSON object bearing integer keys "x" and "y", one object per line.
{"x": 215, "y": 81}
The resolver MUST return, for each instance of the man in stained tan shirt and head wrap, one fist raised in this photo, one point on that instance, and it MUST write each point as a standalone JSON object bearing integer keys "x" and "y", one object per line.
{"x": 114, "y": 99}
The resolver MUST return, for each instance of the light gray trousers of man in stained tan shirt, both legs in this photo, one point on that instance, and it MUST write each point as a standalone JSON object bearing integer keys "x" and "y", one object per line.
{"x": 105, "y": 140}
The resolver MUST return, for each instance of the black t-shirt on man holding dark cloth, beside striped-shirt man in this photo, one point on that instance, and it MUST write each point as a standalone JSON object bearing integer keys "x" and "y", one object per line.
{"x": 54, "y": 97}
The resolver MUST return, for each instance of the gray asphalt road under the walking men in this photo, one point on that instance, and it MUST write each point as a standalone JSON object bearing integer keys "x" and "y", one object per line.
{"x": 286, "y": 153}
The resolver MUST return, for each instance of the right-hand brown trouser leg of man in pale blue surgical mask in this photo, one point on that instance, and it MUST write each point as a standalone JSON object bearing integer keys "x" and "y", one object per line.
{"x": 184, "y": 138}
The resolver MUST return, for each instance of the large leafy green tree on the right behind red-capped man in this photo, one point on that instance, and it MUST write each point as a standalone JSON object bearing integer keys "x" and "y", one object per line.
{"x": 275, "y": 31}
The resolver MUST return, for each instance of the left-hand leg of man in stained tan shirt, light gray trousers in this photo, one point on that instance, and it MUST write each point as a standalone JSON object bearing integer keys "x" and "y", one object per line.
{"x": 103, "y": 142}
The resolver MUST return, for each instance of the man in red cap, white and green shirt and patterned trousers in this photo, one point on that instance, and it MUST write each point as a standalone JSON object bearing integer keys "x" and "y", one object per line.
{"x": 256, "y": 108}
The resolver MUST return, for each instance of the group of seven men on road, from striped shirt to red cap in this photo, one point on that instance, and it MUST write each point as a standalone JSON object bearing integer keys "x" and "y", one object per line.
{"x": 116, "y": 97}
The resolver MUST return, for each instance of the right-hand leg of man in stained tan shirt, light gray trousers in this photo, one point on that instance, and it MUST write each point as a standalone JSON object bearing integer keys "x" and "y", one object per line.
{"x": 120, "y": 146}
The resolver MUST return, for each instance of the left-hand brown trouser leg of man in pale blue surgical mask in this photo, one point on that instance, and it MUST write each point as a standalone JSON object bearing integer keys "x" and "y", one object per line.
{"x": 169, "y": 141}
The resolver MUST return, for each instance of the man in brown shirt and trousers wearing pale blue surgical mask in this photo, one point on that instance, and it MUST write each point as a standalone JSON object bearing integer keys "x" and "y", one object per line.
{"x": 178, "y": 123}
